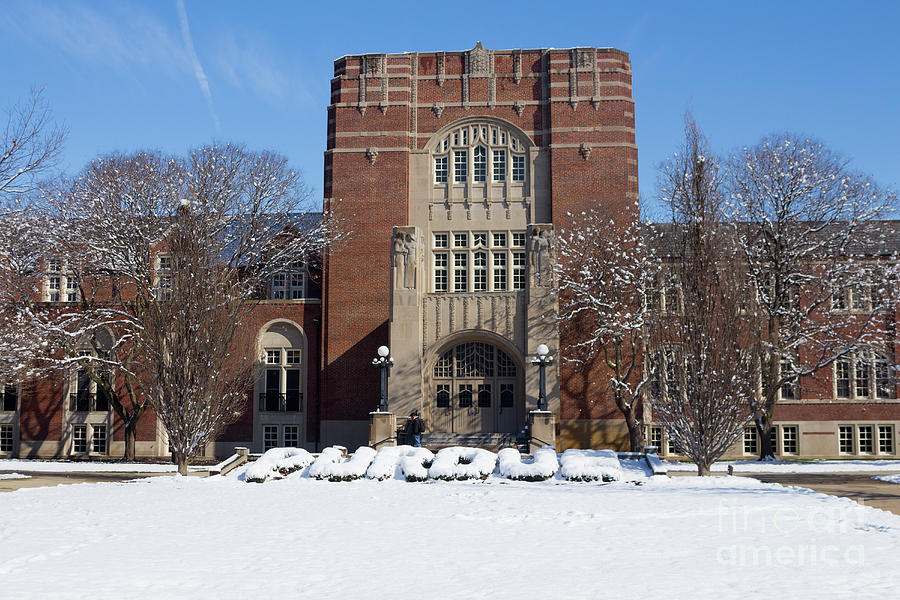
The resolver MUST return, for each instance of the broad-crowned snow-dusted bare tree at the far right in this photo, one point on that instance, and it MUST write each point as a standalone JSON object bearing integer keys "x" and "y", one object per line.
{"x": 808, "y": 239}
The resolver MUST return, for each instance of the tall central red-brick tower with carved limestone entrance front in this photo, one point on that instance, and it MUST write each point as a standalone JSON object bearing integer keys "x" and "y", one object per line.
{"x": 462, "y": 163}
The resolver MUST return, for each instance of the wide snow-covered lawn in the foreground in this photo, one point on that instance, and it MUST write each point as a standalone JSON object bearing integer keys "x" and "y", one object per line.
{"x": 684, "y": 537}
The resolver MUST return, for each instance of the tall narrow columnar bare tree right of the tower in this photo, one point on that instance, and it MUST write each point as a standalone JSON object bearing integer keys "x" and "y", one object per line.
{"x": 701, "y": 343}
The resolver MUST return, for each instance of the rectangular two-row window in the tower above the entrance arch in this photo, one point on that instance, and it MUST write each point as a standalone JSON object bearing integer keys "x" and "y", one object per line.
{"x": 493, "y": 261}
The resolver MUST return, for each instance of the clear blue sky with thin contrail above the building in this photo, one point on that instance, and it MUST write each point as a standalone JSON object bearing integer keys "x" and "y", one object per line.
{"x": 125, "y": 75}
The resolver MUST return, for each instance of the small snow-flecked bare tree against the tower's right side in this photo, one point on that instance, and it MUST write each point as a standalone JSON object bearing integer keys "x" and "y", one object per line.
{"x": 605, "y": 274}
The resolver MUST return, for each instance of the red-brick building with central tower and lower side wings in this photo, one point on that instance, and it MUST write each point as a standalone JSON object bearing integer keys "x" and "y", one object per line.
{"x": 453, "y": 170}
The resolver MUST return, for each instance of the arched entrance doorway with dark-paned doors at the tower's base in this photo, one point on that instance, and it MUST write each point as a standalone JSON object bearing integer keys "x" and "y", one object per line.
{"x": 476, "y": 387}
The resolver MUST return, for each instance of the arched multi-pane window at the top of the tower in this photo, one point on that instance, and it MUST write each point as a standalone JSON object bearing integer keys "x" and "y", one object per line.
{"x": 484, "y": 151}
